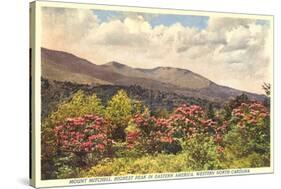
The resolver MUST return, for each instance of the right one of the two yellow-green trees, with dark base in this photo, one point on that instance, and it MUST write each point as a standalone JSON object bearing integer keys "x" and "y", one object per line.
{"x": 119, "y": 112}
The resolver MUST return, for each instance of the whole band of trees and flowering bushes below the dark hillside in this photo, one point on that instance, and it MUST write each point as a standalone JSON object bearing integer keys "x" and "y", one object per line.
{"x": 83, "y": 136}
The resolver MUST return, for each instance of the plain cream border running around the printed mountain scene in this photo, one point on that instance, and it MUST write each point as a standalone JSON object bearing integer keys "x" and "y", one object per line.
{"x": 37, "y": 87}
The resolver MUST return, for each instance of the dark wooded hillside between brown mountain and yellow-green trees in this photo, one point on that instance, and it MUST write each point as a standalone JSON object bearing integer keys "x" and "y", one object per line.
{"x": 54, "y": 92}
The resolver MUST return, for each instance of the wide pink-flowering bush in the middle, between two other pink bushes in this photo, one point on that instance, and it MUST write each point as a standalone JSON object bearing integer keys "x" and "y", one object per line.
{"x": 165, "y": 134}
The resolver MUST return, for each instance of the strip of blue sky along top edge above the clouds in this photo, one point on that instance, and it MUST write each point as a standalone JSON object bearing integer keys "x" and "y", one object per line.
{"x": 199, "y": 22}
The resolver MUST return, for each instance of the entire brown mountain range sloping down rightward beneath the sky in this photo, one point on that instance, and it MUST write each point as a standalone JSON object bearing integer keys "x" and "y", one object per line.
{"x": 63, "y": 66}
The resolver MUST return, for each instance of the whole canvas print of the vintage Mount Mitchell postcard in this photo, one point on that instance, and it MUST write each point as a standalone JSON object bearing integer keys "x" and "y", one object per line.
{"x": 125, "y": 94}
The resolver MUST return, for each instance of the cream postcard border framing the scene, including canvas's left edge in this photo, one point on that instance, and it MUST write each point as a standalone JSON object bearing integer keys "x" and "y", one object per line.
{"x": 36, "y": 85}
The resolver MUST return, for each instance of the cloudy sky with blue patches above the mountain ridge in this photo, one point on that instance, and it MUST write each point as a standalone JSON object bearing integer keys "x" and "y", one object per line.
{"x": 229, "y": 51}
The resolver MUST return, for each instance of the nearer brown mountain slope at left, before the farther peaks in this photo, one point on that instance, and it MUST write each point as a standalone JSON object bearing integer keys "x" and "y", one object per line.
{"x": 62, "y": 66}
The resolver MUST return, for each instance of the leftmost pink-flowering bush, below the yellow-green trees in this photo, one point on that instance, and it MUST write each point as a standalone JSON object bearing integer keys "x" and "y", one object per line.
{"x": 82, "y": 136}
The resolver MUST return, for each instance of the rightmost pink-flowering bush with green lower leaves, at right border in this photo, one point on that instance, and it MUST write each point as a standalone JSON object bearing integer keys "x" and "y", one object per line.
{"x": 250, "y": 132}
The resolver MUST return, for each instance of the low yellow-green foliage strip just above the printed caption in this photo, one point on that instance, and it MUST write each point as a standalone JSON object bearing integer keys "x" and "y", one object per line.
{"x": 142, "y": 165}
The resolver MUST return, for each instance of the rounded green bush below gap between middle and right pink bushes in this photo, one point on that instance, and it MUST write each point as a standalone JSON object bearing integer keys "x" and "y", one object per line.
{"x": 202, "y": 153}
